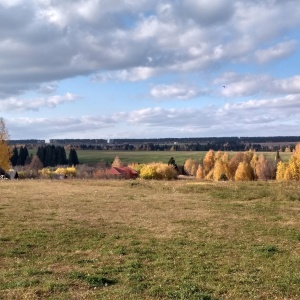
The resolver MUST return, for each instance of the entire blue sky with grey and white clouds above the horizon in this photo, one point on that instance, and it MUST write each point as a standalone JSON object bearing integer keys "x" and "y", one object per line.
{"x": 149, "y": 68}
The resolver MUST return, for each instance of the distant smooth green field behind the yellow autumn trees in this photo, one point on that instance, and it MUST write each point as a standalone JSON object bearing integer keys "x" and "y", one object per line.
{"x": 94, "y": 156}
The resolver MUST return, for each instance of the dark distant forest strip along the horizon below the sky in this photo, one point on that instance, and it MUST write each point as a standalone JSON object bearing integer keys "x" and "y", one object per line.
{"x": 268, "y": 143}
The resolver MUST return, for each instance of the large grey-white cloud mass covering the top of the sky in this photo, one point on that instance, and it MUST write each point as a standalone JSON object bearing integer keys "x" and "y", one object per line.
{"x": 53, "y": 40}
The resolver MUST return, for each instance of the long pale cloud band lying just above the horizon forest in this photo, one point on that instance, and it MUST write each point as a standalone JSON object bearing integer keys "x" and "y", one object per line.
{"x": 253, "y": 117}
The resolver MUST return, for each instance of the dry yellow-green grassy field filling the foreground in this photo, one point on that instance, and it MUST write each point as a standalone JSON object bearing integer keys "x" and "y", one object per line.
{"x": 88, "y": 239}
